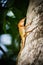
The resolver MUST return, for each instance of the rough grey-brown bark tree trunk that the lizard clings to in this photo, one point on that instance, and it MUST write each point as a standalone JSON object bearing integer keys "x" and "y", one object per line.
{"x": 32, "y": 53}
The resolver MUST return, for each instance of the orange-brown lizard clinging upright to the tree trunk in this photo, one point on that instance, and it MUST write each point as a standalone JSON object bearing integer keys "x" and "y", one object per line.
{"x": 22, "y": 31}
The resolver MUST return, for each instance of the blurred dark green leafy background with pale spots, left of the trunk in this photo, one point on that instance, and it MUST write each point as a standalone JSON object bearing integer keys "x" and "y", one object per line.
{"x": 11, "y": 11}
